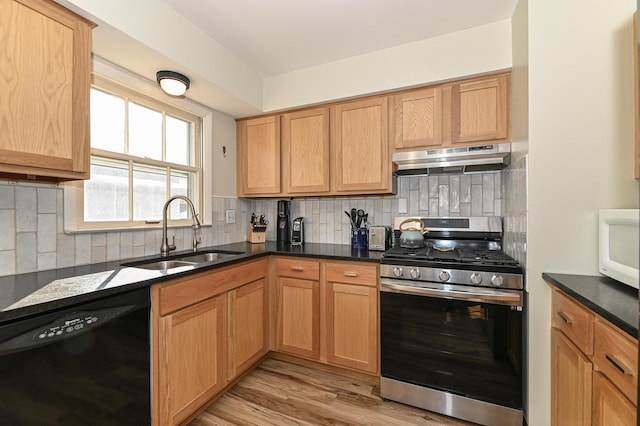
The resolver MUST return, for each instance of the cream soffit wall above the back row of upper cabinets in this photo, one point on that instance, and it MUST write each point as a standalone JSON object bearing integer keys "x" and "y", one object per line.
{"x": 473, "y": 51}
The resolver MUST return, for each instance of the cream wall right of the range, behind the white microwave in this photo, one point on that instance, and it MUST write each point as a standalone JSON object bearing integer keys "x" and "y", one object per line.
{"x": 580, "y": 151}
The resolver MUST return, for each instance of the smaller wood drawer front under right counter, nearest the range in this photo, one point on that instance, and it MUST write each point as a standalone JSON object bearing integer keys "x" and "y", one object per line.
{"x": 573, "y": 320}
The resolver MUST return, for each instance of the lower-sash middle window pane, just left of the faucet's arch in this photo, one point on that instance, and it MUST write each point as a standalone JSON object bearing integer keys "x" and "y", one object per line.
{"x": 149, "y": 192}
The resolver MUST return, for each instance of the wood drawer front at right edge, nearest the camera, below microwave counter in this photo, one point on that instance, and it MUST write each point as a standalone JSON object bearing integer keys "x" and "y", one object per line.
{"x": 616, "y": 356}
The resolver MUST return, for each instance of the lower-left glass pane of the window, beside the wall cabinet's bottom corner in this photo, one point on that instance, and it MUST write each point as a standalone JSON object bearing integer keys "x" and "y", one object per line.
{"x": 106, "y": 194}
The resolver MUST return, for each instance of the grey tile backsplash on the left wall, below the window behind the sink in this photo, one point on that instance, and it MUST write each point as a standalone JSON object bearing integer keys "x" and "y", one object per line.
{"x": 31, "y": 217}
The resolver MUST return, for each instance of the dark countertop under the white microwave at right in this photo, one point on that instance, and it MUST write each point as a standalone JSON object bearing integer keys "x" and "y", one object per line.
{"x": 614, "y": 301}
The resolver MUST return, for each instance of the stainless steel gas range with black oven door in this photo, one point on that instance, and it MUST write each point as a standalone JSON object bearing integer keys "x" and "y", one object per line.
{"x": 452, "y": 322}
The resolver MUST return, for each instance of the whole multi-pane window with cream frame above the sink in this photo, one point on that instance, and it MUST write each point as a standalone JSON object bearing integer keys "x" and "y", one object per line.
{"x": 143, "y": 151}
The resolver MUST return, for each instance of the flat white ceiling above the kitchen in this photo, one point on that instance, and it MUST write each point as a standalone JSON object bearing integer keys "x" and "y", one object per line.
{"x": 278, "y": 36}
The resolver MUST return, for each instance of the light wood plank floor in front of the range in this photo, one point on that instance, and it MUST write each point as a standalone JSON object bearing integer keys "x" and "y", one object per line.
{"x": 281, "y": 393}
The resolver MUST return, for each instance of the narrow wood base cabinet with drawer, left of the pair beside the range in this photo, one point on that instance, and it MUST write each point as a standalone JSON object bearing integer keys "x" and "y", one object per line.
{"x": 298, "y": 307}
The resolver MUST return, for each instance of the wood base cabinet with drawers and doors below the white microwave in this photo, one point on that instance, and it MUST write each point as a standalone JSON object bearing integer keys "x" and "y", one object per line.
{"x": 594, "y": 368}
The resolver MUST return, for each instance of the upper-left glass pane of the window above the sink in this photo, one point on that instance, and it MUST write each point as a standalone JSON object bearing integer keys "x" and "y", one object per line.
{"x": 107, "y": 121}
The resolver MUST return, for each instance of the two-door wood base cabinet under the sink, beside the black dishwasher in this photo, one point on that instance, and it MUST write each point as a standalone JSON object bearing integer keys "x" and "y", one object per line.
{"x": 191, "y": 330}
